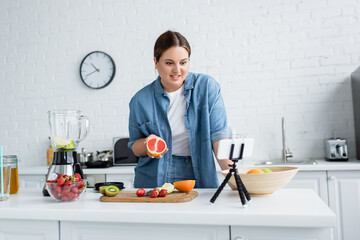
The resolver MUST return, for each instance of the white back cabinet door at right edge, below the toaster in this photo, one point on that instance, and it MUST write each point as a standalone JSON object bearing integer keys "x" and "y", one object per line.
{"x": 344, "y": 200}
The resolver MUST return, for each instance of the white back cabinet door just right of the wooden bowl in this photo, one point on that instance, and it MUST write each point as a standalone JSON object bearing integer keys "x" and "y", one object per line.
{"x": 316, "y": 180}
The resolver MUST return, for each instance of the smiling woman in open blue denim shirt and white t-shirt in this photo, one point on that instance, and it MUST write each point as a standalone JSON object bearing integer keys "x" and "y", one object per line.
{"x": 186, "y": 110}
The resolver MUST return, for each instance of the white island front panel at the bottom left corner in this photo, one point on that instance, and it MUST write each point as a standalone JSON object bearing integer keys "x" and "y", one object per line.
{"x": 29, "y": 230}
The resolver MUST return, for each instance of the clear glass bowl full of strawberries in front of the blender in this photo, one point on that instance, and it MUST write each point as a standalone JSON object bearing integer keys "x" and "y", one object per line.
{"x": 66, "y": 188}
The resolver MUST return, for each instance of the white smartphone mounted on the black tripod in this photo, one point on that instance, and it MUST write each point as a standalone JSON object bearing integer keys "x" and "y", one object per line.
{"x": 225, "y": 147}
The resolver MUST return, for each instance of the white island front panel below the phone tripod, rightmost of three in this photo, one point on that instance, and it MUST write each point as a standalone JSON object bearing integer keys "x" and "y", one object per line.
{"x": 277, "y": 233}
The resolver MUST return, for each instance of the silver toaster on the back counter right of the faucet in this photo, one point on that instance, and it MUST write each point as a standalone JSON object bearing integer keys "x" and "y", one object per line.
{"x": 336, "y": 149}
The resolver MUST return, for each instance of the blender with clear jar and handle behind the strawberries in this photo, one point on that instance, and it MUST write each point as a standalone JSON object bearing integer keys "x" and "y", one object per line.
{"x": 67, "y": 129}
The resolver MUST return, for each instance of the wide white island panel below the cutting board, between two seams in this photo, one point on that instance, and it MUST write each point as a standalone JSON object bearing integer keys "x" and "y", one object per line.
{"x": 127, "y": 231}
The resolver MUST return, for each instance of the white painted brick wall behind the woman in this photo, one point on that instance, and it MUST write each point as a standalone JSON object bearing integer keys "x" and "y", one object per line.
{"x": 272, "y": 59}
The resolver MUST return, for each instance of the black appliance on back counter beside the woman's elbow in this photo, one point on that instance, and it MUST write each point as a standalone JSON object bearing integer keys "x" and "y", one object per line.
{"x": 122, "y": 154}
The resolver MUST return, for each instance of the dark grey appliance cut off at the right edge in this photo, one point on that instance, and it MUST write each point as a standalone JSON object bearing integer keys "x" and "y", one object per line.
{"x": 355, "y": 85}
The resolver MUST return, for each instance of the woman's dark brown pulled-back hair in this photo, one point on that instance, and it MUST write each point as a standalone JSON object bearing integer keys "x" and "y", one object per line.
{"x": 170, "y": 39}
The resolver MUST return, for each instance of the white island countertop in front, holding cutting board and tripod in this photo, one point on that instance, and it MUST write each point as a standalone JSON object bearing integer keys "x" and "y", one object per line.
{"x": 284, "y": 208}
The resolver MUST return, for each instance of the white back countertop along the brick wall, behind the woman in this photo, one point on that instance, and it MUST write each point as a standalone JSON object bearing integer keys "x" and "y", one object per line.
{"x": 321, "y": 165}
